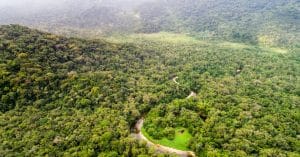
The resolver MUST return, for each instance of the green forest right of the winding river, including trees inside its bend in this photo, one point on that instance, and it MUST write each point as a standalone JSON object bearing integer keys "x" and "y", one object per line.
{"x": 248, "y": 97}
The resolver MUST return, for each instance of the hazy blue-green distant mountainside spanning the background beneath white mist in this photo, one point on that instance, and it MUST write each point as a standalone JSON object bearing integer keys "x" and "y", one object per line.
{"x": 257, "y": 21}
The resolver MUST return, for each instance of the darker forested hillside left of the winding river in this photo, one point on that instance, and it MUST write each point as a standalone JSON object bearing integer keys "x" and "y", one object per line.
{"x": 72, "y": 97}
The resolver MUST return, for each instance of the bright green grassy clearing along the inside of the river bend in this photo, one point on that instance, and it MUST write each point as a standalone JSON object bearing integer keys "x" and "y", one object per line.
{"x": 180, "y": 141}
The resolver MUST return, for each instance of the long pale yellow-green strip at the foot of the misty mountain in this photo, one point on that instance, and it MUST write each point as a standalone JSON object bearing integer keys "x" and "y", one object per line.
{"x": 181, "y": 41}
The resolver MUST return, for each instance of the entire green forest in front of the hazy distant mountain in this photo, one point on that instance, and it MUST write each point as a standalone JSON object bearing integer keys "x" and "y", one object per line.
{"x": 73, "y": 97}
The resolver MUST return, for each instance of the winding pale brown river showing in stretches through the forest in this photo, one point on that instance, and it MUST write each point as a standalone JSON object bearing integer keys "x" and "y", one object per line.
{"x": 160, "y": 148}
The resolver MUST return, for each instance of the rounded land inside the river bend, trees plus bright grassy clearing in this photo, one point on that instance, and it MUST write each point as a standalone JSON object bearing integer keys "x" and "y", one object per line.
{"x": 166, "y": 123}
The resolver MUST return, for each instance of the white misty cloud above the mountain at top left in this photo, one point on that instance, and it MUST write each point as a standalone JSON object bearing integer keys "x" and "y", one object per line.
{"x": 22, "y": 8}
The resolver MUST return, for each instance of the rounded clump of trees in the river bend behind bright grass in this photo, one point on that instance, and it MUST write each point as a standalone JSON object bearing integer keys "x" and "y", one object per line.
{"x": 162, "y": 120}
